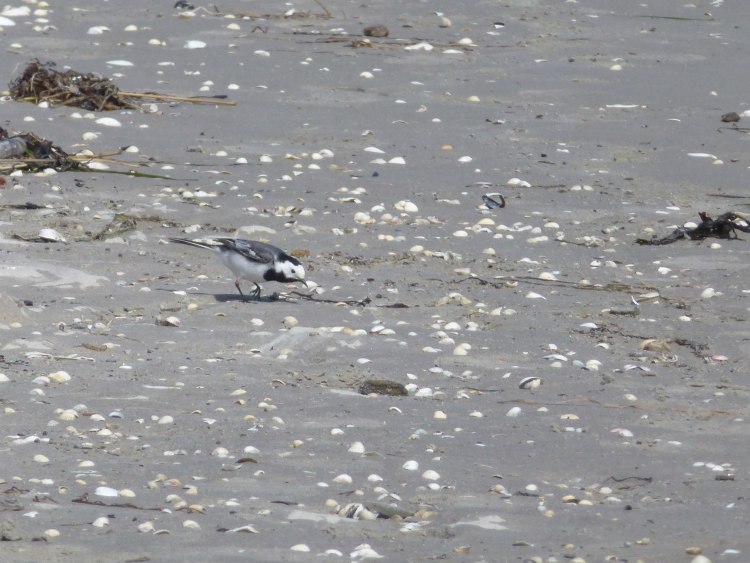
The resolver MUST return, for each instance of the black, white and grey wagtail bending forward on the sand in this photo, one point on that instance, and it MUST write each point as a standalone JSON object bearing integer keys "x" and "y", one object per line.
{"x": 253, "y": 261}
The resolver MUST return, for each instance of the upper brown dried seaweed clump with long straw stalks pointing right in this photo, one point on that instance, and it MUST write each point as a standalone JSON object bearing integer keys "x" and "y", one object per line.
{"x": 41, "y": 82}
